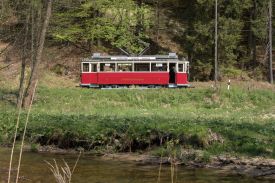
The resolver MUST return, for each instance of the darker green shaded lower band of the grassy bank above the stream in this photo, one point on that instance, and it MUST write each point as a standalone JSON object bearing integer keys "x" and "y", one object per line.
{"x": 140, "y": 133}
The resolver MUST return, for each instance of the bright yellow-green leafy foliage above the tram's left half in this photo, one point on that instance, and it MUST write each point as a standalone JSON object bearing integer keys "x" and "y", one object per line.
{"x": 113, "y": 21}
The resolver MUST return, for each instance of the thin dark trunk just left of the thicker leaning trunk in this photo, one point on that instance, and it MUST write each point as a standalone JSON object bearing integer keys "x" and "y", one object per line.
{"x": 23, "y": 65}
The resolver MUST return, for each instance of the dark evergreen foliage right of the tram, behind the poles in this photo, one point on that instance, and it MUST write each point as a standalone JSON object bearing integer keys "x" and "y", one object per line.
{"x": 240, "y": 25}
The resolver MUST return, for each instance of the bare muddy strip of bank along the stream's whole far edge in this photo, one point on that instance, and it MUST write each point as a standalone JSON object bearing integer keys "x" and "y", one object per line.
{"x": 258, "y": 167}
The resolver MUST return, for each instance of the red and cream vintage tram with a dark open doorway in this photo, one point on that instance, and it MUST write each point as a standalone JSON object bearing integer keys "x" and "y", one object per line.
{"x": 125, "y": 71}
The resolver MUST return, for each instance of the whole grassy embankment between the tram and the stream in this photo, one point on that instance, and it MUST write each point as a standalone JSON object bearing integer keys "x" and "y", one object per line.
{"x": 239, "y": 122}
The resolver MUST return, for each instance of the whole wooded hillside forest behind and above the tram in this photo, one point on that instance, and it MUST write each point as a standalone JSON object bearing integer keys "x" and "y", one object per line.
{"x": 182, "y": 26}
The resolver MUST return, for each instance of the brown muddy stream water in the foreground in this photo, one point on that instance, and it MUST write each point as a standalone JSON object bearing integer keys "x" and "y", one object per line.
{"x": 96, "y": 170}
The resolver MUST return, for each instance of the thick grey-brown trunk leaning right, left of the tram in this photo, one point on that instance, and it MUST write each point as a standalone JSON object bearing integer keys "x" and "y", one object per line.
{"x": 34, "y": 73}
